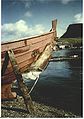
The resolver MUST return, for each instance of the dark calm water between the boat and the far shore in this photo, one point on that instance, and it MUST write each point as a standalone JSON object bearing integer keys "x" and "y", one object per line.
{"x": 60, "y": 85}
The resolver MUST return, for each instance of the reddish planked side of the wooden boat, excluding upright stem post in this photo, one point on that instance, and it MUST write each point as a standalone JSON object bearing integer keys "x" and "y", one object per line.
{"x": 26, "y": 52}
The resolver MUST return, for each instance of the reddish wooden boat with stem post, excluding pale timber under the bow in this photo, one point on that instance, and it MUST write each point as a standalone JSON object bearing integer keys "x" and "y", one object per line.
{"x": 26, "y": 52}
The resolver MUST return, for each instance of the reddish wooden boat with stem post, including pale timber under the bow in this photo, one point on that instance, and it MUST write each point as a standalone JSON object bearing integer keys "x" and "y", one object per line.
{"x": 28, "y": 53}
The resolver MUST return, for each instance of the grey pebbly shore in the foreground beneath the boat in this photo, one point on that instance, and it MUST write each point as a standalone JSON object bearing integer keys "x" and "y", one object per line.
{"x": 16, "y": 108}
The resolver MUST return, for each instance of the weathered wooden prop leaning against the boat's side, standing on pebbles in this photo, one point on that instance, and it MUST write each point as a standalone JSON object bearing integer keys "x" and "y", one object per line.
{"x": 23, "y": 88}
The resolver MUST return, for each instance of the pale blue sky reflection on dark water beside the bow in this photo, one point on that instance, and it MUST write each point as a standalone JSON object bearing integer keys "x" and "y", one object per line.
{"x": 60, "y": 69}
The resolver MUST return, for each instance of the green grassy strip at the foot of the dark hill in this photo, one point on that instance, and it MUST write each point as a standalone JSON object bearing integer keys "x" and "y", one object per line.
{"x": 73, "y": 41}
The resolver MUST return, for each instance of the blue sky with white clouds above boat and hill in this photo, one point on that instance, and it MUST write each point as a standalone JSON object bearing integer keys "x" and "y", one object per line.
{"x": 22, "y": 18}
